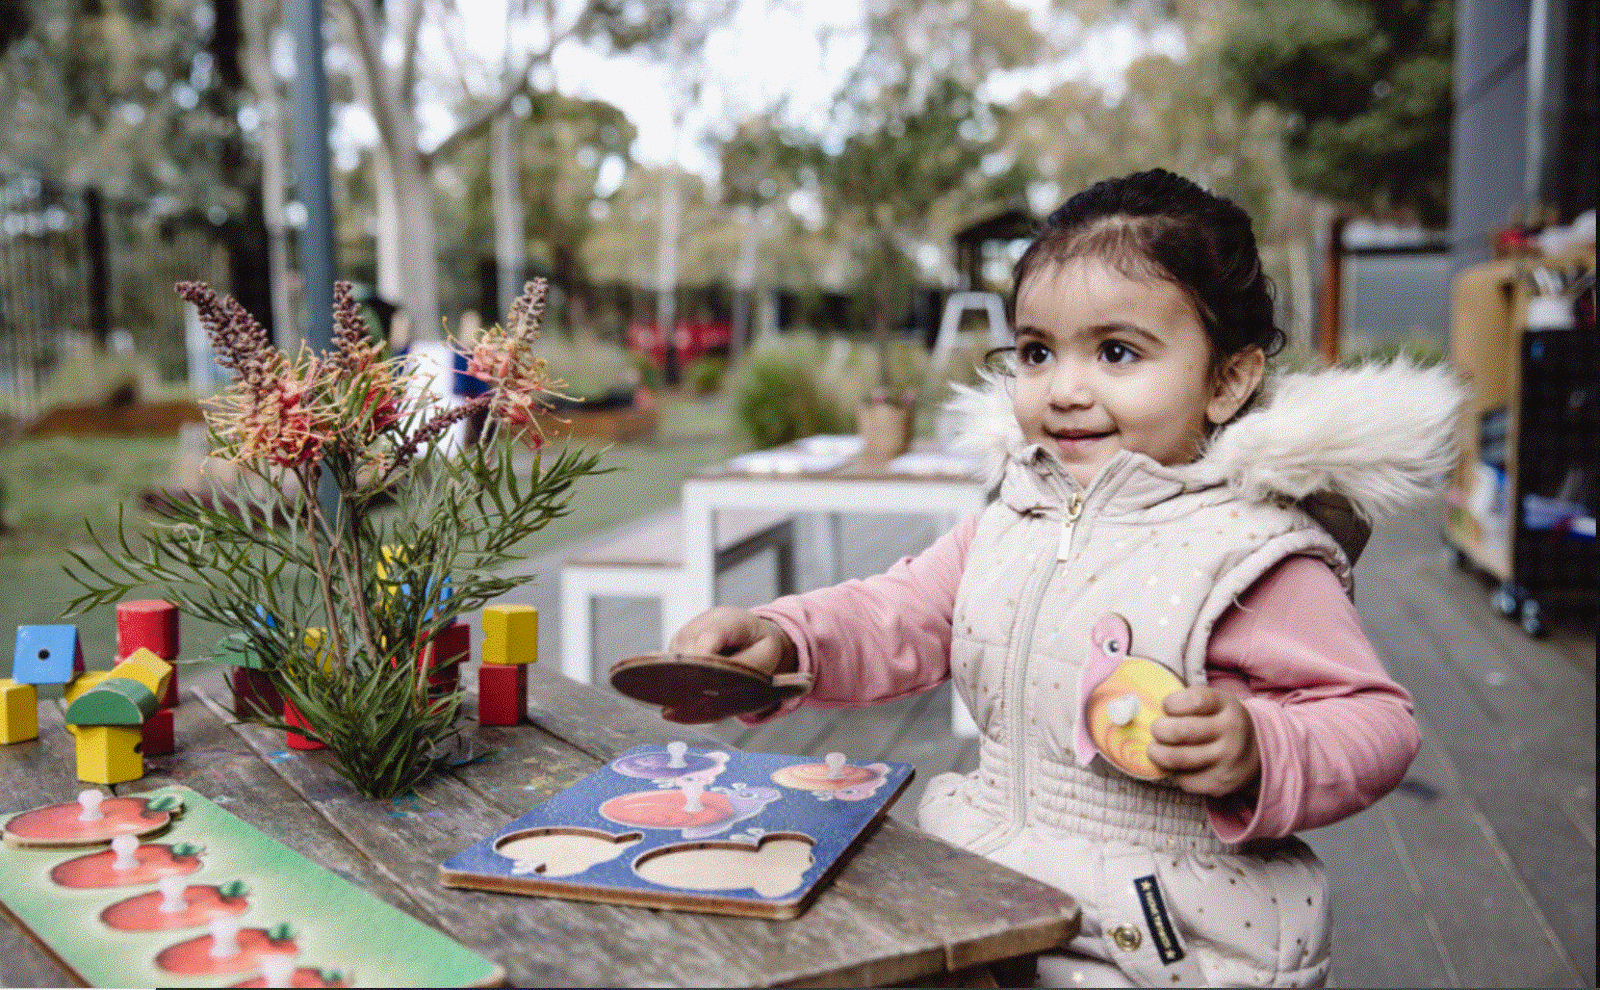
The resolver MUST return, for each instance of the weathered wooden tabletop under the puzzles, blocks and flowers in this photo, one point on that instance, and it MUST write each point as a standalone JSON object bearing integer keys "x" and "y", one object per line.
{"x": 906, "y": 908}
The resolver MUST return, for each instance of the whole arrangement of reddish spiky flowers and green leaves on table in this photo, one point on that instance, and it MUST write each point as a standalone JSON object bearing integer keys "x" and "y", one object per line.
{"x": 356, "y": 540}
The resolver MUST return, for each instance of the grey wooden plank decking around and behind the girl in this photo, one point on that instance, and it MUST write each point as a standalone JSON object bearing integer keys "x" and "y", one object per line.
{"x": 1478, "y": 872}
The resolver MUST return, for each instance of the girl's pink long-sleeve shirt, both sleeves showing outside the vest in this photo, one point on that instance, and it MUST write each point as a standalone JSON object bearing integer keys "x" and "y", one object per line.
{"x": 1334, "y": 729}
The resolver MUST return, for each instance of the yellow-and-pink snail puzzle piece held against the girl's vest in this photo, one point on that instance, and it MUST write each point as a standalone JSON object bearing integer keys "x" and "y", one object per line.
{"x": 1119, "y": 698}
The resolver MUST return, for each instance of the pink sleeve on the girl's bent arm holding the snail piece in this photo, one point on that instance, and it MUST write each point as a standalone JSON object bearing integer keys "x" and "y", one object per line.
{"x": 1335, "y": 732}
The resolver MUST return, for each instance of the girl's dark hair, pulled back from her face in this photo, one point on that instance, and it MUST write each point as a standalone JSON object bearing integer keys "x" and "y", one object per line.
{"x": 1164, "y": 226}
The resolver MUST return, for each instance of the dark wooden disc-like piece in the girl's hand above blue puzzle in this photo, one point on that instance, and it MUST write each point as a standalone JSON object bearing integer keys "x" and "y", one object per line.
{"x": 700, "y": 689}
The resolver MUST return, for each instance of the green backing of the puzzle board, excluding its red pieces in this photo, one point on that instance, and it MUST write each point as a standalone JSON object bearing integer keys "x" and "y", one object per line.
{"x": 335, "y": 927}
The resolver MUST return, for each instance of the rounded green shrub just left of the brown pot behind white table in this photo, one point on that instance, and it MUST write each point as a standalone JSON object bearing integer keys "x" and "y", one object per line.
{"x": 785, "y": 391}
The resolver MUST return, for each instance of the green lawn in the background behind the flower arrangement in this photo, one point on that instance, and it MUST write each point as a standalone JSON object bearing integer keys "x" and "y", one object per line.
{"x": 57, "y": 485}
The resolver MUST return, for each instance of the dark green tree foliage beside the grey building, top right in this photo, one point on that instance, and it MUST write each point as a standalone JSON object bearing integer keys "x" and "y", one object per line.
{"x": 1366, "y": 87}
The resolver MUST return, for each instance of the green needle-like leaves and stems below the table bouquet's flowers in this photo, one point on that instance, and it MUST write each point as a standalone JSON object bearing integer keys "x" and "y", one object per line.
{"x": 457, "y": 529}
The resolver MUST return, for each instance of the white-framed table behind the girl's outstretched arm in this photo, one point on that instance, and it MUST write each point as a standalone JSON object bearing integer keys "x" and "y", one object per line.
{"x": 796, "y": 479}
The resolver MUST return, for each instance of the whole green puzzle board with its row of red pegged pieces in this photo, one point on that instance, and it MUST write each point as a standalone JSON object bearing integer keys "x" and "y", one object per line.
{"x": 154, "y": 906}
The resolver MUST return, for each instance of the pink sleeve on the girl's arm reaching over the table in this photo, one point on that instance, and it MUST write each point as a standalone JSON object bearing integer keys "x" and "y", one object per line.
{"x": 882, "y": 637}
